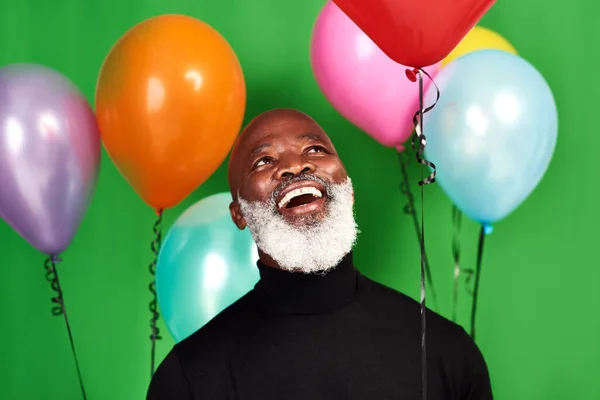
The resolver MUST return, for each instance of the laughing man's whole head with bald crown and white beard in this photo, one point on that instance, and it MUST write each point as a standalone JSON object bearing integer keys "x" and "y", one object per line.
{"x": 293, "y": 193}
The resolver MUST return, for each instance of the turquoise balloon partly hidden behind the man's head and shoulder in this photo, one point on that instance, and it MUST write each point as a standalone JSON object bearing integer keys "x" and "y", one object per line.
{"x": 205, "y": 264}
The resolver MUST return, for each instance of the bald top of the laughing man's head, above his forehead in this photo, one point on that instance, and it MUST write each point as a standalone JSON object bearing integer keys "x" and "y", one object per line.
{"x": 264, "y": 129}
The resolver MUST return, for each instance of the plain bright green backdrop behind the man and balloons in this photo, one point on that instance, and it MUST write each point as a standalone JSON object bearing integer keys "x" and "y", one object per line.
{"x": 538, "y": 323}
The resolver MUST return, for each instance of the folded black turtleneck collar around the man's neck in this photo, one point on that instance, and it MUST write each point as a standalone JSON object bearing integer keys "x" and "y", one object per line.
{"x": 300, "y": 293}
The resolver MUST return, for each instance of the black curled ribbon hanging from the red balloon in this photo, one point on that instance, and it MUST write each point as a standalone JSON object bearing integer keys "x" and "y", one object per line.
{"x": 420, "y": 149}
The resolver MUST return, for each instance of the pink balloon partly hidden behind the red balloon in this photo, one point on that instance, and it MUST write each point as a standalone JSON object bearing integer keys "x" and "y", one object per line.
{"x": 360, "y": 81}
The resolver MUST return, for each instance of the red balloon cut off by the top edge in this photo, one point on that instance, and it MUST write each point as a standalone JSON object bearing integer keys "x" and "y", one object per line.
{"x": 416, "y": 33}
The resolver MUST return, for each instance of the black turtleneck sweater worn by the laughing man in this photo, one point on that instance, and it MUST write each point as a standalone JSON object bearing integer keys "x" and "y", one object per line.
{"x": 311, "y": 337}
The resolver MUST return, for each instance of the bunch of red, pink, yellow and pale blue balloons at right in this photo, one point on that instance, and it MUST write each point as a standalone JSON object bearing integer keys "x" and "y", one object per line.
{"x": 492, "y": 134}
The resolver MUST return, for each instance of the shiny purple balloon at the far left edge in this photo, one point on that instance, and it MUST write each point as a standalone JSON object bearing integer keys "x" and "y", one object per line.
{"x": 49, "y": 155}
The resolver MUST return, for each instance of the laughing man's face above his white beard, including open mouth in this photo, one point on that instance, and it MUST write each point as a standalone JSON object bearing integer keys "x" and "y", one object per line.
{"x": 290, "y": 162}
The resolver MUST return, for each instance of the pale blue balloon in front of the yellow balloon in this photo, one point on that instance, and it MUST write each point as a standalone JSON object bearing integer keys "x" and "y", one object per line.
{"x": 492, "y": 134}
